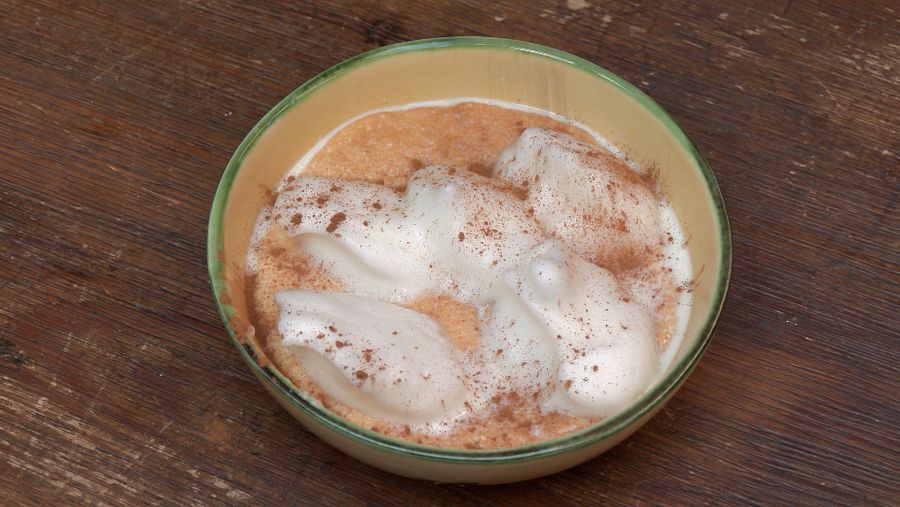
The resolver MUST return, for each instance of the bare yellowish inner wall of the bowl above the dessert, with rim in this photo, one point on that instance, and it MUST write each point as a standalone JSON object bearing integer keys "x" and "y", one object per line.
{"x": 486, "y": 68}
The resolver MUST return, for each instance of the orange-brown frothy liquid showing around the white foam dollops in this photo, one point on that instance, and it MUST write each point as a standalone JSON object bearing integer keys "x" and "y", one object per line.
{"x": 387, "y": 148}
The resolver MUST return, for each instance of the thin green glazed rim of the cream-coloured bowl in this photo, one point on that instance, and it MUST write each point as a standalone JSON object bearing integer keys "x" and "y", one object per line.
{"x": 282, "y": 386}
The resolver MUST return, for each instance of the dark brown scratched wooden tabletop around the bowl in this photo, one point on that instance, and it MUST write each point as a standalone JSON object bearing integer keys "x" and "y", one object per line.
{"x": 118, "y": 384}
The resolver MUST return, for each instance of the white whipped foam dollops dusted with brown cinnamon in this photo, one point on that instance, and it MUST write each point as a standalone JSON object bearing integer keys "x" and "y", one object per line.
{"x": 555, "y": 325}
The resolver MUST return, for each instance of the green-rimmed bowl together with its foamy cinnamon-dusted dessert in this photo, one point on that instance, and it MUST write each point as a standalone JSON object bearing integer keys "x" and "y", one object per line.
{"x": 469, "y": 259}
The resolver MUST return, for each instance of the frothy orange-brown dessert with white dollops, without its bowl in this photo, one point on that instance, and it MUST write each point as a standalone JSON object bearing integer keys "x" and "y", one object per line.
{"x": 468, "y": 274}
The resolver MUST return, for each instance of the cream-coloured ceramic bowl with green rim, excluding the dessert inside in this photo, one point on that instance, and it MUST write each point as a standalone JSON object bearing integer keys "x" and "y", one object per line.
{"x": 500, "y": 69}
